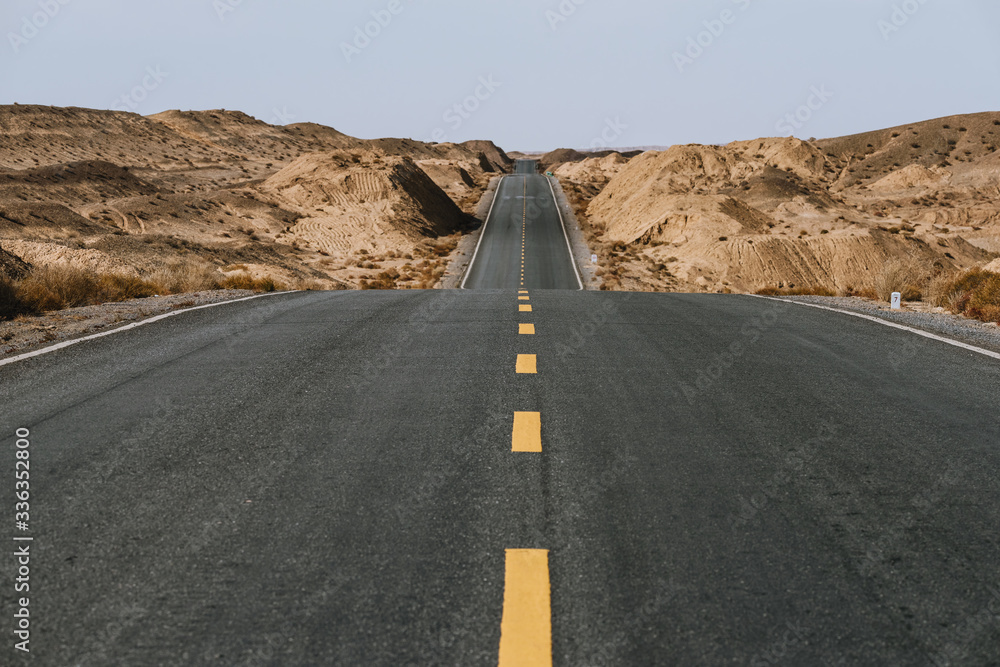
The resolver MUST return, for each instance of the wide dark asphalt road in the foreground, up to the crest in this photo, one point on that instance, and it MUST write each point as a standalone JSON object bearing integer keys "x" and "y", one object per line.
{"x": 327, "y": 478}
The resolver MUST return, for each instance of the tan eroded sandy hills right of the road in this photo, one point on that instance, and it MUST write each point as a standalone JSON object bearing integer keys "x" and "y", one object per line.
{"x": 821, "y": 213}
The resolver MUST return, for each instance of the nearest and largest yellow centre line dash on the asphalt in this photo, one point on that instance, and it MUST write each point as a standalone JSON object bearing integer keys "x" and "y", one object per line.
{"x": 526, "y": 626}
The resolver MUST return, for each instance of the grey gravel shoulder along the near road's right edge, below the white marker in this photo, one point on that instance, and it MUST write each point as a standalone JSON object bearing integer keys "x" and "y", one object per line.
{"x": 919, "y": 316}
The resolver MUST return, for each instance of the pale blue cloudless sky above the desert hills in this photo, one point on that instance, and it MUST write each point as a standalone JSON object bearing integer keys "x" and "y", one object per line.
{"x": 609, "y": 67}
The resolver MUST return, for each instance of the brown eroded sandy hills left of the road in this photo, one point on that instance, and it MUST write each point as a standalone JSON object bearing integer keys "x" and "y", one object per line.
{"x": 113, "y": 189}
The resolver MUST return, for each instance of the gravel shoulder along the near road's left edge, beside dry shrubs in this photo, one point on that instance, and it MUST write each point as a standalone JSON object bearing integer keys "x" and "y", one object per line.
{"x": 27, "y": 334}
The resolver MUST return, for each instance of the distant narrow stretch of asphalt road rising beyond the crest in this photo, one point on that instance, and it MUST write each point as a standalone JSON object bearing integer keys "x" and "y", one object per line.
{"x": 523, "y": 244}
